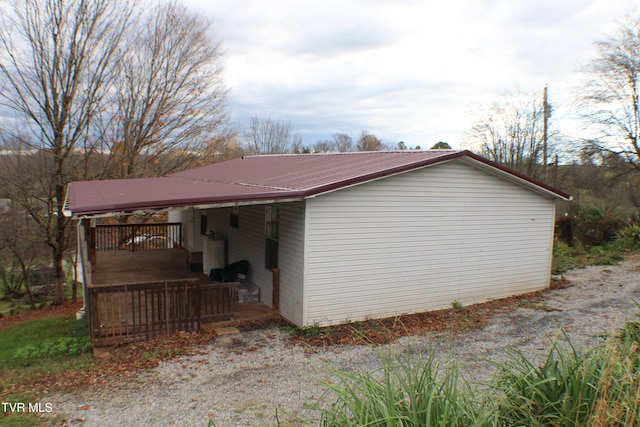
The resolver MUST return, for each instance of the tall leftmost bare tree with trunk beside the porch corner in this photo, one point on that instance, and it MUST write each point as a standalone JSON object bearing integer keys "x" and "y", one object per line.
{"x": 55, "y": 73}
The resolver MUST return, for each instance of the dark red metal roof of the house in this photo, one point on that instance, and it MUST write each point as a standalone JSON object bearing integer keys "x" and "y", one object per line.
{"x": 259, "y": 178}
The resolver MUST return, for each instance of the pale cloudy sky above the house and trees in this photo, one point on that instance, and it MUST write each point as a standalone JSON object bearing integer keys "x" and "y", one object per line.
{"x": 403, "y": 70}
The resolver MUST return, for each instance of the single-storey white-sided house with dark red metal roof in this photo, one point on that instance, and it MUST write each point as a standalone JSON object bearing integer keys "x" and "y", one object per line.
{"x": 336, "y": 238}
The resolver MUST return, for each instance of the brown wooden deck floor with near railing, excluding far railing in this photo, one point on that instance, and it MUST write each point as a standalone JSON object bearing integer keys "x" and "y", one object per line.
{"x": 139, "y": 295}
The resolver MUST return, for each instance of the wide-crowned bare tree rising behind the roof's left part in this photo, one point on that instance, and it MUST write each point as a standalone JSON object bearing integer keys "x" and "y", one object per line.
{"x": 168, "y": 100}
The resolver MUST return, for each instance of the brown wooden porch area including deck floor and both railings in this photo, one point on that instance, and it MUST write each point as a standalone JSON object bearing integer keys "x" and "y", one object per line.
{"x": 139, "y": 285}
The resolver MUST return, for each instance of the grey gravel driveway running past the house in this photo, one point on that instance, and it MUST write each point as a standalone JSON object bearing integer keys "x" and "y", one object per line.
{"x": 240, "y": 380}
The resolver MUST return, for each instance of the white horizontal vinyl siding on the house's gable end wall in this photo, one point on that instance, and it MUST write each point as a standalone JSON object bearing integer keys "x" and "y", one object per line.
{"x": 421, "y": 240}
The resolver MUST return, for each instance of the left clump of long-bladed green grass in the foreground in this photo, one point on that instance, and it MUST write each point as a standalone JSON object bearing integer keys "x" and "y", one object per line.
{"x": 409, "y": 391}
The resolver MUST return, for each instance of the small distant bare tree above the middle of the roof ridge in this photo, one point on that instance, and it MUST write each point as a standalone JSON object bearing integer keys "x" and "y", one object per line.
{"x": 266, "y": 135}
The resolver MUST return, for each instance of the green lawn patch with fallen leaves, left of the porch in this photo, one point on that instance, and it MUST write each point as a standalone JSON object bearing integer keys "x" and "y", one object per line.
{"x": 34, "y": 349}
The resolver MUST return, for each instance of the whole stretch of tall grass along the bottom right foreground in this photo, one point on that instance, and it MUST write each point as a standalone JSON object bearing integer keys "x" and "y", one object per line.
{"x": 594, "y": 388}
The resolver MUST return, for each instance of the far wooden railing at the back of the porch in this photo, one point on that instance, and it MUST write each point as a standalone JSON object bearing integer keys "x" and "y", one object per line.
{"x": 137, "y": 237}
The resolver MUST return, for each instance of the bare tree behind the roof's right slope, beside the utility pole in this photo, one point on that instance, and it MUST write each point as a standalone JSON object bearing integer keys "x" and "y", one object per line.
{"x": 511, "y": 132}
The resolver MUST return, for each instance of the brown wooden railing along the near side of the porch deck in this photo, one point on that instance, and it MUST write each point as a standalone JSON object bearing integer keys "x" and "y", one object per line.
{"x": 136, "y": 312}
